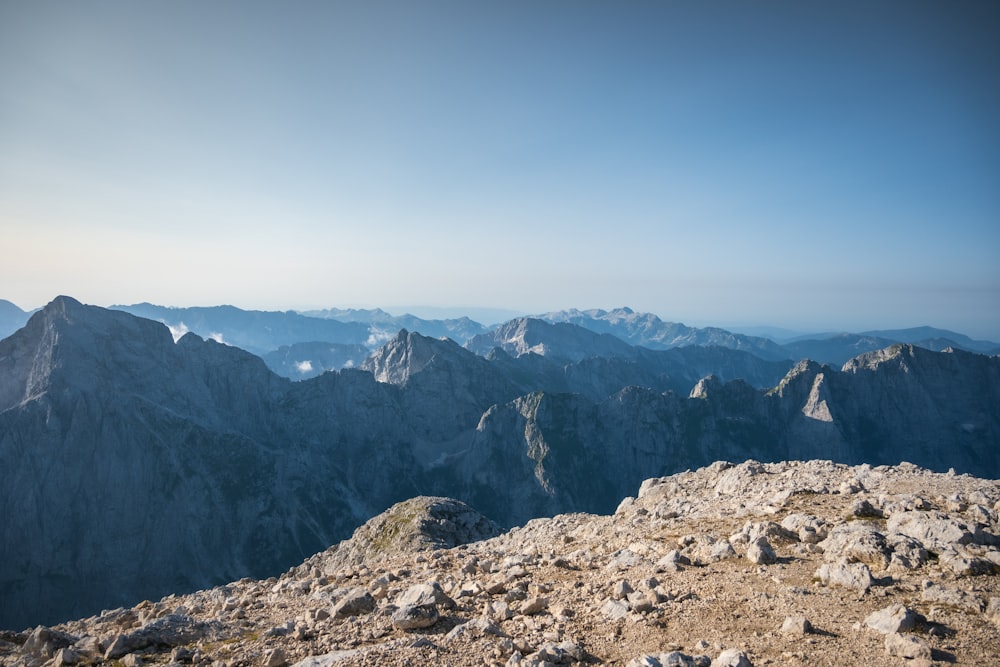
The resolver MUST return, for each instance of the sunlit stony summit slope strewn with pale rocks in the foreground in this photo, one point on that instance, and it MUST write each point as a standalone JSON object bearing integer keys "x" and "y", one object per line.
{"x": 799, "y": 563}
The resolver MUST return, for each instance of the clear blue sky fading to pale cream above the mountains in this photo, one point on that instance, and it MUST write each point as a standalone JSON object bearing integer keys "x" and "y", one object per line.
{"x": 815, "y": 166}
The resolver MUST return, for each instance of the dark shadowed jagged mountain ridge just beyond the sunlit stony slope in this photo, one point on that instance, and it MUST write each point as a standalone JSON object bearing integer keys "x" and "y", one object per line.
{"x": 134, "y": 463}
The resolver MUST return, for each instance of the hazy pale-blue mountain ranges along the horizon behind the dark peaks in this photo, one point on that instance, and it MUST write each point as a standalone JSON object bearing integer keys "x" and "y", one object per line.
{"x": 301, "y": 345}
